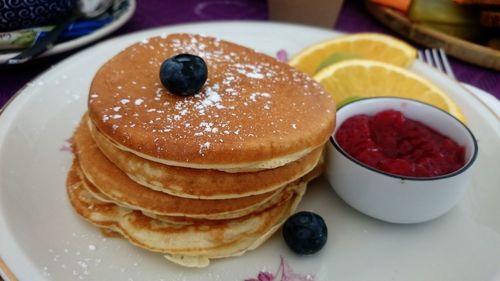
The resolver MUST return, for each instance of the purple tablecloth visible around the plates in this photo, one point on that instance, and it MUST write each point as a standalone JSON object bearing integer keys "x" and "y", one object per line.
{"x": 153, "y": 13}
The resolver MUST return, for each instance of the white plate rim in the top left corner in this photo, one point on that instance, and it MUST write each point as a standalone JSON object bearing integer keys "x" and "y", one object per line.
{"x": 86, "y": 39}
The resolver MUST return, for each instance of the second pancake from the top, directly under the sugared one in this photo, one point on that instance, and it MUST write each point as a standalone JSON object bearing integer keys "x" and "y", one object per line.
{"x": 204, "y": 184}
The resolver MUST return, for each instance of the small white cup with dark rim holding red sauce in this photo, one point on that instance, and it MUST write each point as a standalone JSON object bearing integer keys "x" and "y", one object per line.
{"x": 392, "y": 198}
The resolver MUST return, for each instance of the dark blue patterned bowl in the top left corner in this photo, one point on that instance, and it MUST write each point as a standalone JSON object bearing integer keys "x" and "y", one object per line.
{"x": 18, "y": 14}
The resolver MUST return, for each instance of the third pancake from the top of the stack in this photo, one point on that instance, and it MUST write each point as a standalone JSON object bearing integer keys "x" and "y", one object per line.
{"x": 112, "y": 182}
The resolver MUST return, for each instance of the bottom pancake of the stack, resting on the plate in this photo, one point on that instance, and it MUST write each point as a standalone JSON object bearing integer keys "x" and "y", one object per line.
{"x": 189, "y": 245}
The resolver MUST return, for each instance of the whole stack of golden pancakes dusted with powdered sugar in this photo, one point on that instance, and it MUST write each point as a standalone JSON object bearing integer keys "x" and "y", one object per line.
{"x": 207, "y": 176}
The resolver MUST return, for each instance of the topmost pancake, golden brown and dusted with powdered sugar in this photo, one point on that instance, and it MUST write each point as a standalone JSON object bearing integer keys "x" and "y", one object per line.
{"x": 253, "y": 112}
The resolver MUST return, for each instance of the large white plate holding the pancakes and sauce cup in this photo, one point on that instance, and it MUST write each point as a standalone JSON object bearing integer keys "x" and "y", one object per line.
{"x": 43, "y": 239}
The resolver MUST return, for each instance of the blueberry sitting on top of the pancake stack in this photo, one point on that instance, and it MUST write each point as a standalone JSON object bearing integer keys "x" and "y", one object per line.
{"x": 183, "y": 74}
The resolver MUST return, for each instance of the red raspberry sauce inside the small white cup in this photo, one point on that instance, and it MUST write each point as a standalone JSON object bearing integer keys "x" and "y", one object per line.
{"x": 390, "y": 142}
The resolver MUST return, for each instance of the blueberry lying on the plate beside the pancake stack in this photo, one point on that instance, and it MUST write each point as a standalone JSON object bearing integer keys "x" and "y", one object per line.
{"x": 305, "y": 233}
